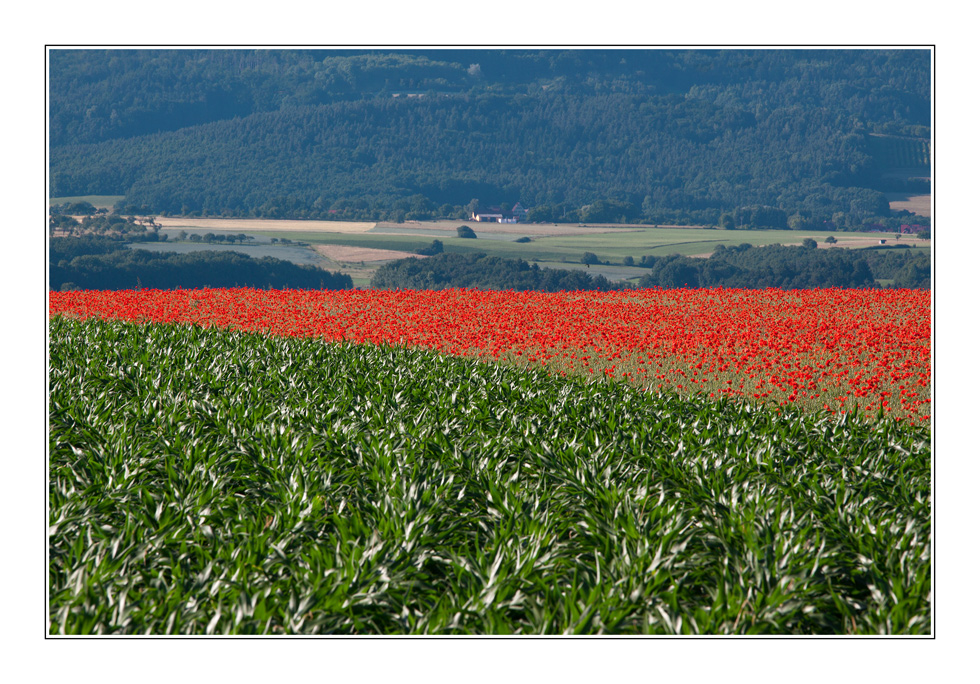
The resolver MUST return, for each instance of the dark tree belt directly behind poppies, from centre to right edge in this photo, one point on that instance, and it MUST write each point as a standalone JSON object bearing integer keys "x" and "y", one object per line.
{"x": 743, "y": 266}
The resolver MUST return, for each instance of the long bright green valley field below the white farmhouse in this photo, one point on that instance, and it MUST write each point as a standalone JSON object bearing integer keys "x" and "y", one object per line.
{"x": 612, "y": 247}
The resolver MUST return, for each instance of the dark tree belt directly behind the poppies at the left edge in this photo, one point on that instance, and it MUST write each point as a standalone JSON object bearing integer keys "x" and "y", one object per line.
{"x": 100, "y": 263}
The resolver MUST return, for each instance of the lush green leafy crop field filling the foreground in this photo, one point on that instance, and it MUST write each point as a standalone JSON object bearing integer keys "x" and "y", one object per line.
{"x": 212, "y": 482}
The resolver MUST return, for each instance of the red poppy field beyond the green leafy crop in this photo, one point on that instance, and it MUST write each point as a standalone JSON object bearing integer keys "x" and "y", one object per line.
{"x": 824, "y": 350}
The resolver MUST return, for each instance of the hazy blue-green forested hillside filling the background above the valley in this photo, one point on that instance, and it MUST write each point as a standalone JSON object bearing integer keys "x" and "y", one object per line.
{"x": 751, "y": 138}
